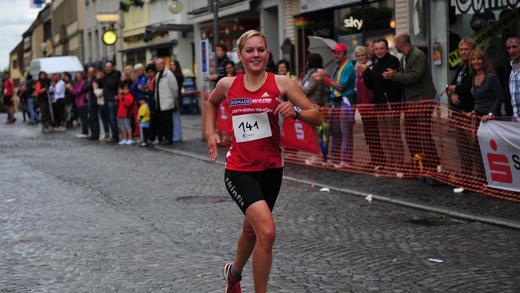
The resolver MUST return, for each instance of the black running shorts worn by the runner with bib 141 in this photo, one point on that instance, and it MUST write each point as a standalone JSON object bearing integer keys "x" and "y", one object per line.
{"x": 247, "y": 188}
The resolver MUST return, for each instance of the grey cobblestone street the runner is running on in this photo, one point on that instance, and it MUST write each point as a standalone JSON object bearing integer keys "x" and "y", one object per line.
{"x": 82, "y": 216}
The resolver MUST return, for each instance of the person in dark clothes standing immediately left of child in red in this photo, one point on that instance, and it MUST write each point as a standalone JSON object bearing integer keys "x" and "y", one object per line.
{"x": 111, "y": 82}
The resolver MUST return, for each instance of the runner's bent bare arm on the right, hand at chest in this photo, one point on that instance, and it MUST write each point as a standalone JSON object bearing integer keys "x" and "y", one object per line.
{"x": 292, "y": 90}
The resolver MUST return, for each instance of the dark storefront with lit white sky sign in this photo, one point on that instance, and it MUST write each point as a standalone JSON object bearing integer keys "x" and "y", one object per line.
{"x": 351, "y": 24}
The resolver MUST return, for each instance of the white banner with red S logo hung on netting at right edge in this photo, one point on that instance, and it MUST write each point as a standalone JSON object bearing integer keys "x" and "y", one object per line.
{"x": 500, "y": 147}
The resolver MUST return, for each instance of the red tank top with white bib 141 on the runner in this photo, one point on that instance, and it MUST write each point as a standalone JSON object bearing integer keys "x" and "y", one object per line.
{"x": 255, "y": 144}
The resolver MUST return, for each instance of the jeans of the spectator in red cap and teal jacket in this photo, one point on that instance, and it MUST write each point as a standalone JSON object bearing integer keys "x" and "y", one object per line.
{"x": 341, "y": 119}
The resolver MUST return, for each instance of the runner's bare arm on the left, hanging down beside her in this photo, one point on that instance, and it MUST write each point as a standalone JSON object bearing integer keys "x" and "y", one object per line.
{"x": 211, "y": 106}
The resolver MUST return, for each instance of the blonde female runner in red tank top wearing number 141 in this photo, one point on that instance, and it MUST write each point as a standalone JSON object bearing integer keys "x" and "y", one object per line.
{"x": 254, "y": 161}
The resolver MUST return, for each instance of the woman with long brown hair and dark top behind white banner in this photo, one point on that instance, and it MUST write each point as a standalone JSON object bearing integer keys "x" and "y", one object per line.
{"x": 486, "y": 89}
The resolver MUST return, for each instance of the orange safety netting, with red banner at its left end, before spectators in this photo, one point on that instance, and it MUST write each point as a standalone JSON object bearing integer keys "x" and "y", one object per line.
{"x": 401, "y": 140}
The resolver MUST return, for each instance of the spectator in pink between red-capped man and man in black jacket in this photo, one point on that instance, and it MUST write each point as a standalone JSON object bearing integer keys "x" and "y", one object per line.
{"x": 365, "y": 99}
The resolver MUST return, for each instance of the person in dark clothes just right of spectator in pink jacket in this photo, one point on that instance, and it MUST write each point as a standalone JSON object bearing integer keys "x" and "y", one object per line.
{"x": 92, "y": 105}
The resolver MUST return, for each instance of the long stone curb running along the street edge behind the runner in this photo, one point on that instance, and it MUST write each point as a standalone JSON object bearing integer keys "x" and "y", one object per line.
{"x": 443, "y": 211}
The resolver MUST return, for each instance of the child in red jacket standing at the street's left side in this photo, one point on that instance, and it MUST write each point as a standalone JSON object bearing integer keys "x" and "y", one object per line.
{"x": 125, "y": 102}
